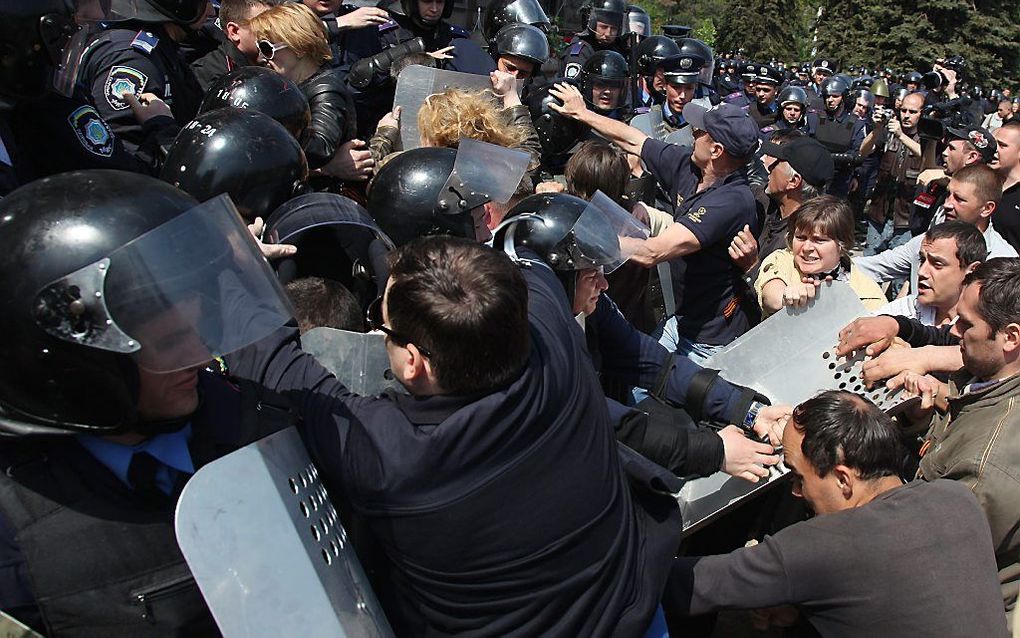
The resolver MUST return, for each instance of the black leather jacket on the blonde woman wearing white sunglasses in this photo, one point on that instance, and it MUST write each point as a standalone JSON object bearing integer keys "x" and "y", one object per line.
{"x": 334, "y": 120}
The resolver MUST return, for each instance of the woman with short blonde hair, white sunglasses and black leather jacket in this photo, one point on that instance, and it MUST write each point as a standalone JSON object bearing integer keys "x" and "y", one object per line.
{"x": 293, "y": 42}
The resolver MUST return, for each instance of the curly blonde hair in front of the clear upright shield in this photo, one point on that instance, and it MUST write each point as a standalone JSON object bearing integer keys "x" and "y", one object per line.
{"x": 448, "y": 117}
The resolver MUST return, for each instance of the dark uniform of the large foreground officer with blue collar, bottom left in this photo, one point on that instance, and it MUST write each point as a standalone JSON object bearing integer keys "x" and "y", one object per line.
{"x": 88, "y": 554}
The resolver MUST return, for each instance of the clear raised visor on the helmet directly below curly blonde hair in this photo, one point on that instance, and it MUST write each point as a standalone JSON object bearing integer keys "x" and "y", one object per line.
{"x": 483, "y": 173}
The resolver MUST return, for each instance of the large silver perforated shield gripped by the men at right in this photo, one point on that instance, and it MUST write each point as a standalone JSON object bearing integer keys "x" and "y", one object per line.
{"x": 789, "y": 359}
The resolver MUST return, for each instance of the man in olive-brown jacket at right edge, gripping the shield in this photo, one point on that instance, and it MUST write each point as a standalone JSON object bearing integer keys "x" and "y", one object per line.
{"x": 976, "y": 429}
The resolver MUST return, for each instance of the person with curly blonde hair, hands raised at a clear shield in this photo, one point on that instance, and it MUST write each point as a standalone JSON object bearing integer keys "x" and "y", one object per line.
{"x": 447, "y": 118}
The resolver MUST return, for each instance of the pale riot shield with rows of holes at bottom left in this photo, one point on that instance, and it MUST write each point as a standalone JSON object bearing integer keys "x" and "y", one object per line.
{"x": 268, "y": 550}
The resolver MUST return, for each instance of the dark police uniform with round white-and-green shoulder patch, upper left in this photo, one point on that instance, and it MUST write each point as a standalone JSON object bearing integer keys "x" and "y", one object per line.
{"x": 123, "y": 61}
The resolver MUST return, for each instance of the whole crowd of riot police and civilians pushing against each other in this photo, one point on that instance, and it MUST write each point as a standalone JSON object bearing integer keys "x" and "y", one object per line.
{"x": 554, "y": 247}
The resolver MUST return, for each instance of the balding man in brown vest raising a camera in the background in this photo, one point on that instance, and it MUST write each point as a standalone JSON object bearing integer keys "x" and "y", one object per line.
{"x": 899, "y": 165}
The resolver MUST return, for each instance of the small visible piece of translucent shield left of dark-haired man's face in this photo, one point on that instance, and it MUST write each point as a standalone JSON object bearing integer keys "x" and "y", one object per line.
{"x": 360, "y": 361}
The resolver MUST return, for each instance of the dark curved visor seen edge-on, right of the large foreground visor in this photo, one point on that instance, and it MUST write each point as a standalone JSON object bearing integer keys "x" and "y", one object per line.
{"x": 318, "y": 210}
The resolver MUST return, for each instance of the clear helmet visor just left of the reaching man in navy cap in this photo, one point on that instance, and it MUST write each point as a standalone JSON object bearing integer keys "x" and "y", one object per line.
{"x": 607, "y": 235}
